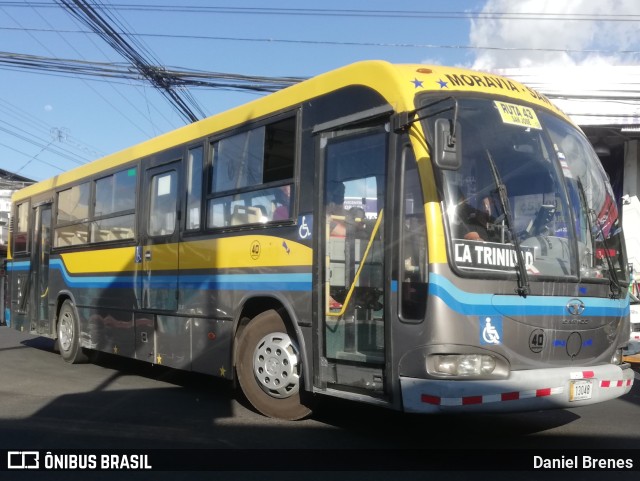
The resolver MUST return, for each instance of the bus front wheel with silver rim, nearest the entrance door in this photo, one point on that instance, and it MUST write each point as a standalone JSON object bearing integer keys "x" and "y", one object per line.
{"x": 269, "y": 370}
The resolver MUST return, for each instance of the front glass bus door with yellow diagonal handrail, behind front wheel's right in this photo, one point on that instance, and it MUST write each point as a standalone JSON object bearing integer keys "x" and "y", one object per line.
{"x": 354, "y": 263}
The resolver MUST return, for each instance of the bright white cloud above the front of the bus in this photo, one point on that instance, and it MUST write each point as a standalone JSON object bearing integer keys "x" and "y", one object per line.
{"x": 555, "y": 42}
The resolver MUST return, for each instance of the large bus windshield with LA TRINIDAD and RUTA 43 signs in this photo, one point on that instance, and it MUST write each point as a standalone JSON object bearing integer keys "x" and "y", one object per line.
{"x": 526, "y": 180}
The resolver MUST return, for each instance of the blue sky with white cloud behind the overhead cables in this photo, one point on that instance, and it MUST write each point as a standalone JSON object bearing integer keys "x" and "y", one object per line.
{"x": 51, "y": 123}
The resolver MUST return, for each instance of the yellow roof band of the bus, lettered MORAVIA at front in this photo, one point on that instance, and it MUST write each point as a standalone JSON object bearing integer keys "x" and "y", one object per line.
{"x": 398, "y": 84}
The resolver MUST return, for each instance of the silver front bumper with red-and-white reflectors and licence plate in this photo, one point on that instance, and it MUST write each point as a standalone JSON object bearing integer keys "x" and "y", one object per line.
{"x": 522, "y": 391}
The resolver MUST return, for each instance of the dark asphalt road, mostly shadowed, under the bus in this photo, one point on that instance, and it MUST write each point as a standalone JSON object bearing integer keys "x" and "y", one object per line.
{"x": 46, "y": 403}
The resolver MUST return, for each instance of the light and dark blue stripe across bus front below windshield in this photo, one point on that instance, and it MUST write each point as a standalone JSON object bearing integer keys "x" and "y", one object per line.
{"x": 469, "y": 303}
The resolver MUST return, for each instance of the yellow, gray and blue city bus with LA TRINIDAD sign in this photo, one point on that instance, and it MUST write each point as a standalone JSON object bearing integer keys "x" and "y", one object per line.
{"x": 417, "y": 237}
